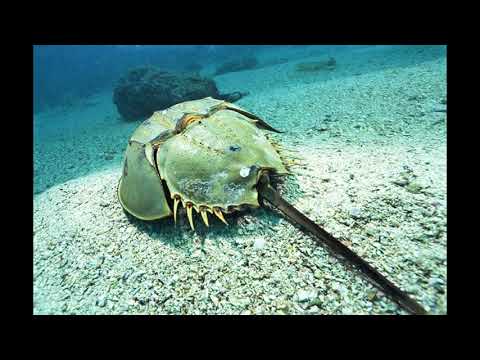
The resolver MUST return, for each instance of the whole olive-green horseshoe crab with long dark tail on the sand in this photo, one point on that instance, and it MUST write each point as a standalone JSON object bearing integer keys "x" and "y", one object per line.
{"x": 215, "y": 157}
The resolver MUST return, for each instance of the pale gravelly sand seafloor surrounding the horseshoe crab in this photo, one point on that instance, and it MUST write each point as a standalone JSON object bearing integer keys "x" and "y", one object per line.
{"x": 373, "y": 174}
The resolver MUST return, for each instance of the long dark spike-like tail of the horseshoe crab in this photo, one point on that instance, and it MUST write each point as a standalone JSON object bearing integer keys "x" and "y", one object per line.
{"x": 323, "y": 237}
